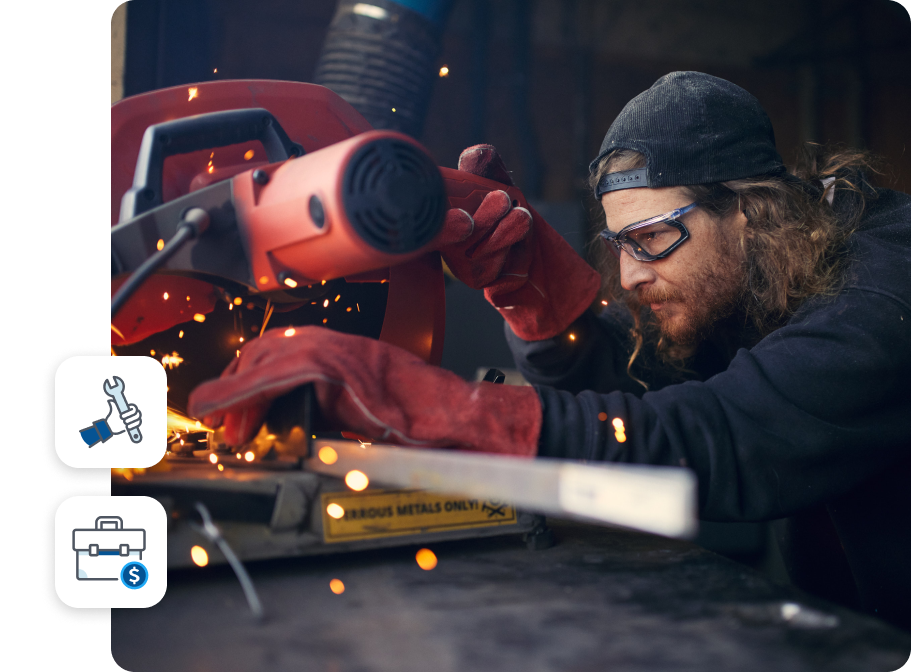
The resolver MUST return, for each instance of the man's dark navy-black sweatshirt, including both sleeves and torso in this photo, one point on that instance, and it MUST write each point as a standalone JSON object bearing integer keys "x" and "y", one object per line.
{"x": 814, "y": 413}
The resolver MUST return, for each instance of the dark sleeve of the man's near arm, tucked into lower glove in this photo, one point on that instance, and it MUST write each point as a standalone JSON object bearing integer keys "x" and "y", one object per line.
{"x": 805, "y": 415}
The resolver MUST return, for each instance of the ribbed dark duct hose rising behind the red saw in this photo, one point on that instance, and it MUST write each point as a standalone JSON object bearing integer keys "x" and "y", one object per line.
{"x": 380, "y": 56}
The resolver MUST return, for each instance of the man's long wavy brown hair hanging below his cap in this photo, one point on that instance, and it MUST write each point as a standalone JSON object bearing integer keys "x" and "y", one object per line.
{"x": 793, "y": 244}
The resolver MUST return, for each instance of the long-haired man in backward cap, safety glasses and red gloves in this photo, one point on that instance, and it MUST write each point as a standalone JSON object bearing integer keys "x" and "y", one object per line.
{"x": 768, "y": 316}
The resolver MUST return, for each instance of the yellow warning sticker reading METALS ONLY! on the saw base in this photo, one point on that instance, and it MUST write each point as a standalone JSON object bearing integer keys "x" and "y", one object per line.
{"x": 349, "y": 516}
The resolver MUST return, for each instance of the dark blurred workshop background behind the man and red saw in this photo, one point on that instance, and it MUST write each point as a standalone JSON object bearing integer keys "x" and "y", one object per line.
{"x": 542, "y": 80}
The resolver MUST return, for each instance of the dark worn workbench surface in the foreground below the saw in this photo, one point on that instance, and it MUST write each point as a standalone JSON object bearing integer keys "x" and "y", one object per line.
{"x": 601, "y": 599}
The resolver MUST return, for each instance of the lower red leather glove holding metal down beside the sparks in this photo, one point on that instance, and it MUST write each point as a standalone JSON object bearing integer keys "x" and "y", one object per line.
{"x": 371, "y": 388}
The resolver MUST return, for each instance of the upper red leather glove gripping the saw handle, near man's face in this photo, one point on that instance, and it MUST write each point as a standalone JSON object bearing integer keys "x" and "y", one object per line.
{"x": 529, "y": 273}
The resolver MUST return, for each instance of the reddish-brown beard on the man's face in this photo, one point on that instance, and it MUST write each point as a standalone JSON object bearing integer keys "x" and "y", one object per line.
{"x": 692, "y": 310}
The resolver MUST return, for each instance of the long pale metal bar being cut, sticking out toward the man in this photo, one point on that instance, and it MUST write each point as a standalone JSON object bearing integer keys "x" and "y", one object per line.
{"x": 661, "y": 500}
